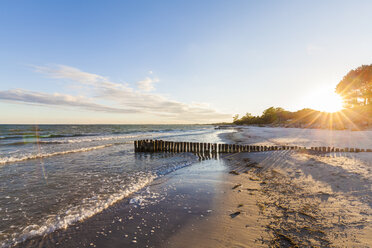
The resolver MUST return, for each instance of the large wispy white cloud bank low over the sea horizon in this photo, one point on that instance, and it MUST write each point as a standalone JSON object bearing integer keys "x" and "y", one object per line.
{"x": 120, "y": 98}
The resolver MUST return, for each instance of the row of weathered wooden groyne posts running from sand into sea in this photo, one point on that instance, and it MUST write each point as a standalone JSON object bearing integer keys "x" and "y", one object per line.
{"x": 196, "y": 147}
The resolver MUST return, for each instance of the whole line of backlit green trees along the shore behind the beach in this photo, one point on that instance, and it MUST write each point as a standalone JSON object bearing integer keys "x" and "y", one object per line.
{"x": 356, "y": 90}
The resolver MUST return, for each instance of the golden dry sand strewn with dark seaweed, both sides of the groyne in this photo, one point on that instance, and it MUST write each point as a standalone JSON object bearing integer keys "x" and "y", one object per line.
{"x": 290, "y": 199}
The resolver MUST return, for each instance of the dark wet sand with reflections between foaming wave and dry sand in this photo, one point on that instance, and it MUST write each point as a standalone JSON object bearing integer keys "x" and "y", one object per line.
{"x": 150, "y": 217}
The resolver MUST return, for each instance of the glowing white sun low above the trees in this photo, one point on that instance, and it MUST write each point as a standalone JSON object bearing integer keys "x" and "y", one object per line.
{"x": 325, "y": 100}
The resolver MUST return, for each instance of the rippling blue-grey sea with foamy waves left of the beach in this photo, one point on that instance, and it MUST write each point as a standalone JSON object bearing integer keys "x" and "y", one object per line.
{"x": 52, "y": 176}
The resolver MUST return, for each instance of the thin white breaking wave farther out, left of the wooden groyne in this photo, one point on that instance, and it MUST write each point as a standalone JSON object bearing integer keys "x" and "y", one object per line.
{"x": 45, "y": 155}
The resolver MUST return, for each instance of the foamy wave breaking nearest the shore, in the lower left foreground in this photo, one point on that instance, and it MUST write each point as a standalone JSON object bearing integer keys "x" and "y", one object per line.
{"x": 79, "y": 213}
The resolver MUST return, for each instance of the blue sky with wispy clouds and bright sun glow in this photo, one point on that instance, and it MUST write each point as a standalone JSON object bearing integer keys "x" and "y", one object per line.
{"x": 159, "y": 62}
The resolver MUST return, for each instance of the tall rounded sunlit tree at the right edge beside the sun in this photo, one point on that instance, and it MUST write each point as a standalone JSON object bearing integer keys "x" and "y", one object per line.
{"x": 356, "y": 87}
